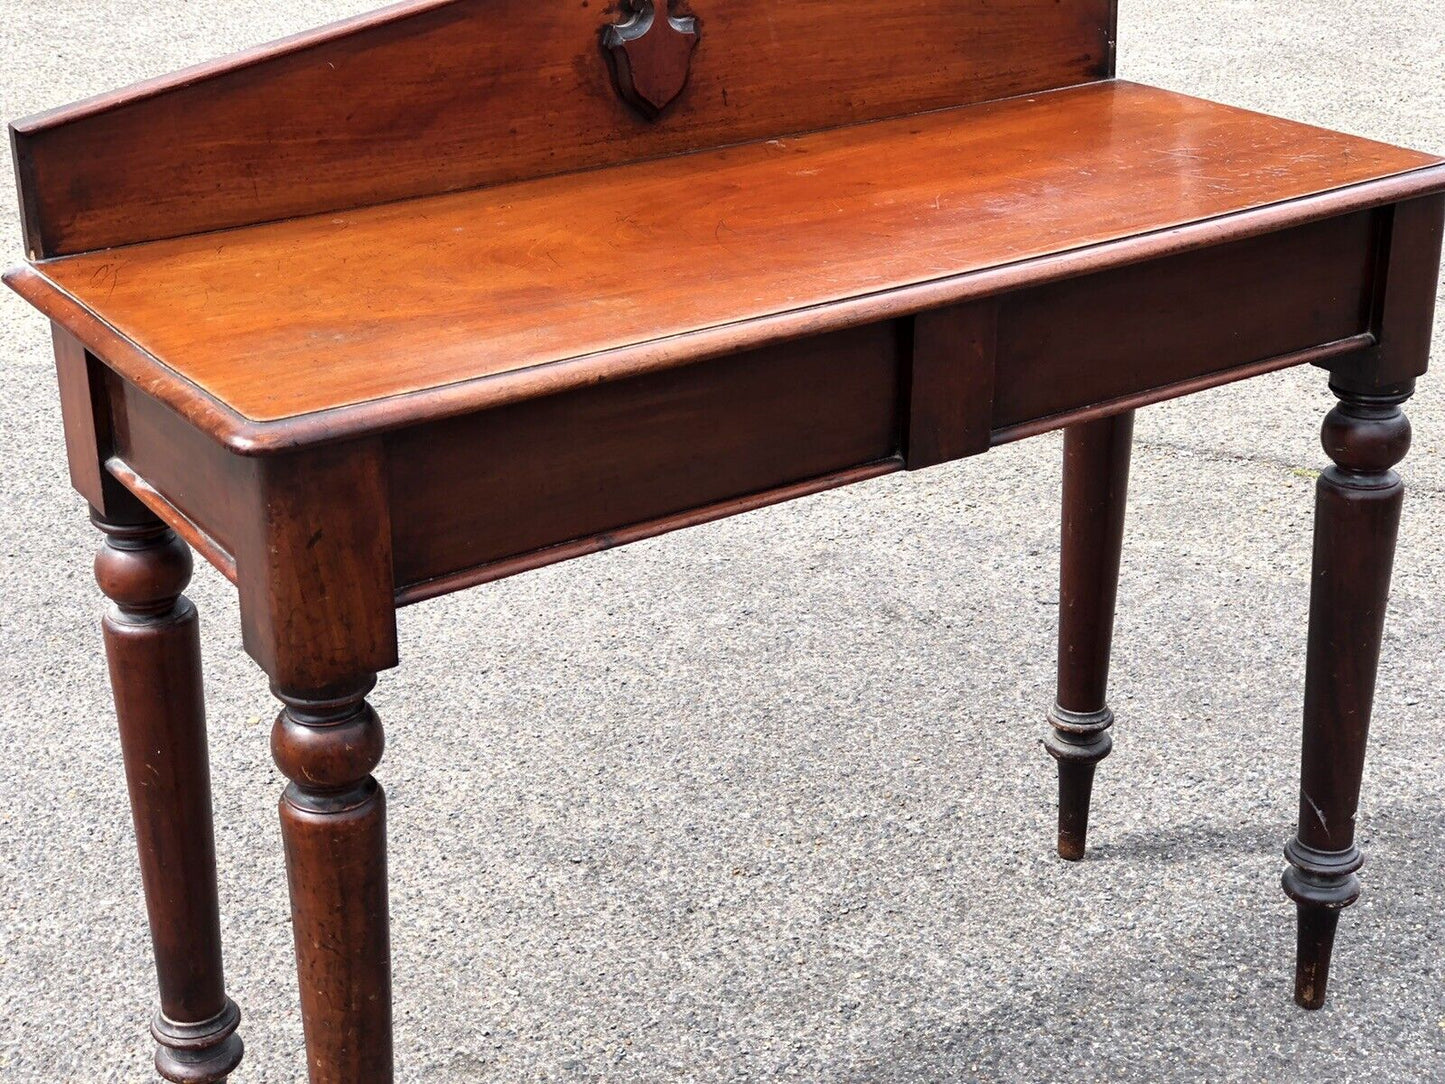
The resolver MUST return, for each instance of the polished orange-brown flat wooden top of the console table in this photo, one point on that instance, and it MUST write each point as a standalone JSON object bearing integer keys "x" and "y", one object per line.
{"x": 288, "y": 319}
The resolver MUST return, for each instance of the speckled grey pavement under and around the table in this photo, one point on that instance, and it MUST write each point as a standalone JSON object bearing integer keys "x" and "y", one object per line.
{"x": 767, "y": 800}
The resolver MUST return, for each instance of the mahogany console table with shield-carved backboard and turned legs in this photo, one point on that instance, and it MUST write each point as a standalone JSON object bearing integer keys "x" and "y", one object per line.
{"x": 469, "y": 287}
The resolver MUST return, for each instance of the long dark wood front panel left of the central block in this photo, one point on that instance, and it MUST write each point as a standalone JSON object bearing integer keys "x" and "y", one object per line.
{"x": 532, "y": 476}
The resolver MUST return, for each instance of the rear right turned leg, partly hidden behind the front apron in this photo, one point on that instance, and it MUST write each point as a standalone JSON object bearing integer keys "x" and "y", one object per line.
{"x": 1096, "y": 485}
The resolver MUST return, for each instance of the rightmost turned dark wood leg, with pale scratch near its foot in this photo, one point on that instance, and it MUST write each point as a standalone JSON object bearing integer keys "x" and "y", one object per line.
{"x": 1358, "y": 518}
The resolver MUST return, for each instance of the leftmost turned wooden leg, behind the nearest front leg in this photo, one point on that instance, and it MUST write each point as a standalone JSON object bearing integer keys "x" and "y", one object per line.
{"x": 154, "y": 648}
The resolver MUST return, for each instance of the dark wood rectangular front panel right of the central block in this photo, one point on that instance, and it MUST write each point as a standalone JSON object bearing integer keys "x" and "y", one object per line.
{"x": 1084, "y": 342}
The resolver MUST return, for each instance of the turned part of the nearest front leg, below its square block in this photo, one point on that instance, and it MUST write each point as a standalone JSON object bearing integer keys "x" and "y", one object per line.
{"x": 333, "y": 820}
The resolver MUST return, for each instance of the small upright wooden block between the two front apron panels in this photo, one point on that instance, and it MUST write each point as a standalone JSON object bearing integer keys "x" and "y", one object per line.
{"x": 952, "y": 384}
